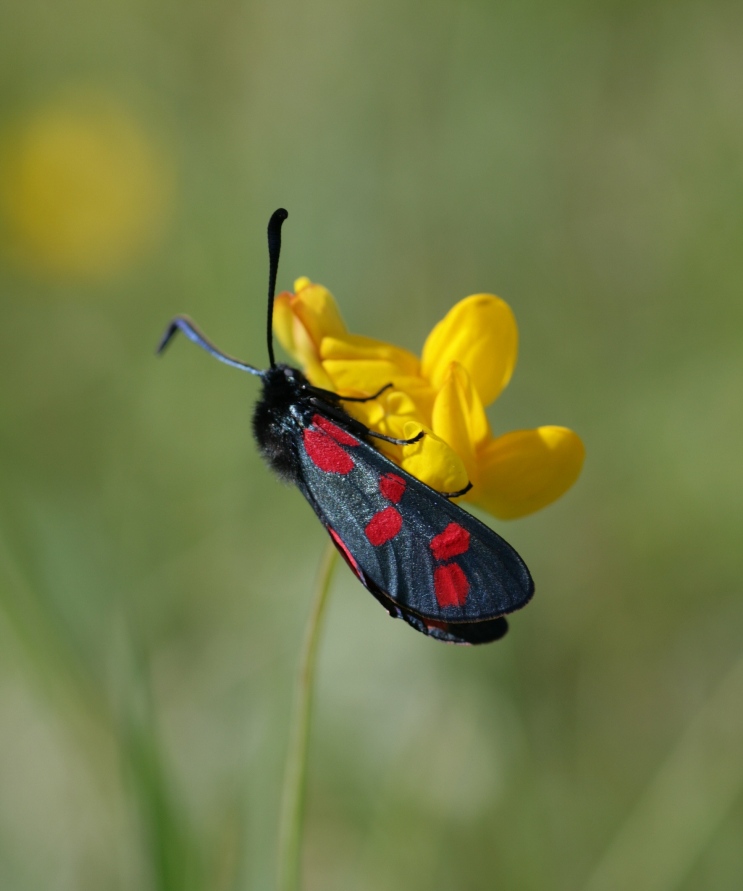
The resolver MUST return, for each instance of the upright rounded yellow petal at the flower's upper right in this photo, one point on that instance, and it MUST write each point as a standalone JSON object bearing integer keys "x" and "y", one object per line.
{"x": 480, "y": 332}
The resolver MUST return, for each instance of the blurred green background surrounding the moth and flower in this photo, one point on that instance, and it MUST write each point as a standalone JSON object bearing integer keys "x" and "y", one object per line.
{"x": 581, "y": 160}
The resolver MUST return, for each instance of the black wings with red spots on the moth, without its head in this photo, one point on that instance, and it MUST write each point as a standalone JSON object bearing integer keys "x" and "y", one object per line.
{"x": 424, "y": 558}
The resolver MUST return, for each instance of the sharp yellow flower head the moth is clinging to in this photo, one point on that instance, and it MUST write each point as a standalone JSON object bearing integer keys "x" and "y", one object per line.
{"x": 466, "y": 362}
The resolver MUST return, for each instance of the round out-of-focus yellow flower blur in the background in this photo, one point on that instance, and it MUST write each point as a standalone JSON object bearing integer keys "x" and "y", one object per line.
{"x": 84, "y": 191}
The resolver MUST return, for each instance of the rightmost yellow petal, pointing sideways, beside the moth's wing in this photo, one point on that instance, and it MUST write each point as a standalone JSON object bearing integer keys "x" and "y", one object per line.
{"x": 526, "y": 470}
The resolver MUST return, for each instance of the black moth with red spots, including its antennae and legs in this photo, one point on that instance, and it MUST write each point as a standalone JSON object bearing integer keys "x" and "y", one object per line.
{"x": 424, "y": 558}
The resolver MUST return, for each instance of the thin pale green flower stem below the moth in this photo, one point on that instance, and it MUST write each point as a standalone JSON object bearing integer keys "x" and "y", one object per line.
{"x": 295, "y": 771}
